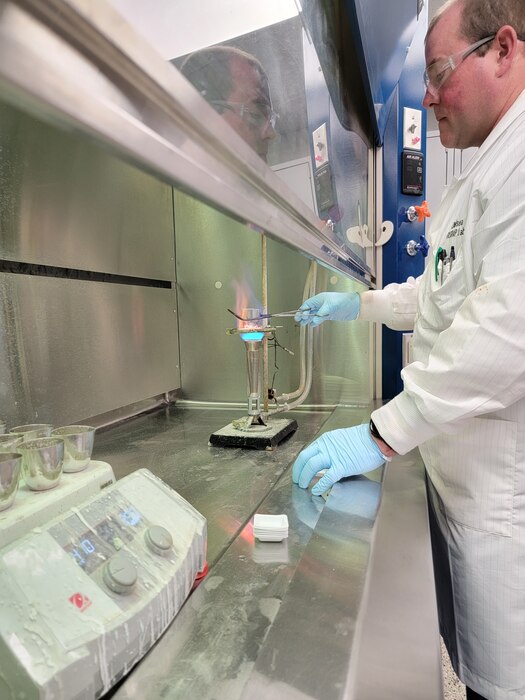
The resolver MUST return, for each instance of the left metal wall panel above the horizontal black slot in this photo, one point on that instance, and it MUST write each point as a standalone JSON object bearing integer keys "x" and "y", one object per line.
{"x": 68, "y": 203}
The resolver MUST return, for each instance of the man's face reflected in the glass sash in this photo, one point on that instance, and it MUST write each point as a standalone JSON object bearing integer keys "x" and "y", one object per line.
{"x": 250, "y": 109}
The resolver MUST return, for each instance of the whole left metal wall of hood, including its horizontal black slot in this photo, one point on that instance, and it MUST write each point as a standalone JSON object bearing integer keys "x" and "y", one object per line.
{"x": 77, "y": 344}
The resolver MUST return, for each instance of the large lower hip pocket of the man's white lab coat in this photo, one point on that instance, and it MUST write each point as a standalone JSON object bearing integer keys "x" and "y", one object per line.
{"x": 474, "y": 472}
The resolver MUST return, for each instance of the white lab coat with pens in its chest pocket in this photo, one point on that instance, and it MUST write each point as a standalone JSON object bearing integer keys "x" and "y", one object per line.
{"x": 463, "y": 403}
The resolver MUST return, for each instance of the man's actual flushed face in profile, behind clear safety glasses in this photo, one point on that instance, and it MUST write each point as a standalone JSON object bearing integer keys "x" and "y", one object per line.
{"x": 463, "y": 104}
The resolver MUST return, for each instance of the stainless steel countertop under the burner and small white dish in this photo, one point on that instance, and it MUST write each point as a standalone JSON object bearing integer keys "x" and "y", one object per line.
{"x": 343, "y": 608}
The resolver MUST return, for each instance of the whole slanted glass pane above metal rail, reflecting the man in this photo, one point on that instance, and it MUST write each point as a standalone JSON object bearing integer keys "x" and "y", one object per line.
{"x": 251, "y": 62}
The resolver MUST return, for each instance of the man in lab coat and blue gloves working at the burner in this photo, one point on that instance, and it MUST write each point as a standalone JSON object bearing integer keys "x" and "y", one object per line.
{"x": 463, "y": 401}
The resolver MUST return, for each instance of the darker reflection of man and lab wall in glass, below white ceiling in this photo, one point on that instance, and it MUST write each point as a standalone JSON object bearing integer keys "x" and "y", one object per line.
{"x": 276, "y": 69}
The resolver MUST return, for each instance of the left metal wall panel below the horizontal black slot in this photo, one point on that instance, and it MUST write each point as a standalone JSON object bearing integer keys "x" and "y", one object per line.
{"x": 73, "y": 349}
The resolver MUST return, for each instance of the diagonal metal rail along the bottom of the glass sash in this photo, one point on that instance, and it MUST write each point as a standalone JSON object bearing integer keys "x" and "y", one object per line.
{"x": 78, "y": 64}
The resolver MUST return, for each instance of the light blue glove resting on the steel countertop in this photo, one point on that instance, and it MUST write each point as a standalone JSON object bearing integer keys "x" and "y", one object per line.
{"x": 343, "y": 452}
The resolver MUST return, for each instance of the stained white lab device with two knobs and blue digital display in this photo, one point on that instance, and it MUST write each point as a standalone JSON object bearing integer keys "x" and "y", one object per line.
{"x": 86, "y": 593}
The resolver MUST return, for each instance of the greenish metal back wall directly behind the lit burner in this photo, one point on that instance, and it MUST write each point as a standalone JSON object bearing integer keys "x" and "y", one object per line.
{"x": 216, "y": 256}
